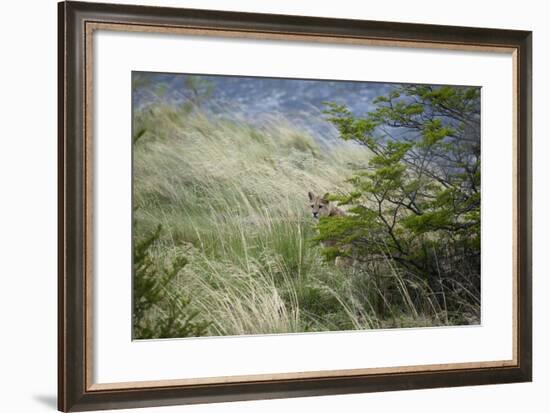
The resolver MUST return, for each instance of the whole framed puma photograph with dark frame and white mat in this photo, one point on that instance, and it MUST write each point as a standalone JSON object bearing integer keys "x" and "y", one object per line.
{"x": 263, "y": 206}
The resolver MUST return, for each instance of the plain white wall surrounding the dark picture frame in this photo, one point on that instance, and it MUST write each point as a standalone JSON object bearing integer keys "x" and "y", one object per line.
{"x": 28, "y": 204}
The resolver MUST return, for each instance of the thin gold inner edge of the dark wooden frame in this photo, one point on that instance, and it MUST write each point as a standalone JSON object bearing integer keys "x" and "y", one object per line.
{"x": 91, "y": 26}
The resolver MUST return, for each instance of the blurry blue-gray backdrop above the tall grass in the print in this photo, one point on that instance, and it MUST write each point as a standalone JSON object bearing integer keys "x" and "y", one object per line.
{"x": 259, "y": 101}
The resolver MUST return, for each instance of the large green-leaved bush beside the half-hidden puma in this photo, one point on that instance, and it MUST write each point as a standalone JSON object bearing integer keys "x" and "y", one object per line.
{"x": 418, "y": 201}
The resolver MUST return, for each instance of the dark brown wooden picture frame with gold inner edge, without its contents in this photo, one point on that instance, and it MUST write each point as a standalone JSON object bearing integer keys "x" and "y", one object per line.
{"x": 77, "y": 21}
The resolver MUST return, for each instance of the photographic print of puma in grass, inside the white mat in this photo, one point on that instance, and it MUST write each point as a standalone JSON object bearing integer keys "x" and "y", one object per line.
{"x": 271, "y": 206}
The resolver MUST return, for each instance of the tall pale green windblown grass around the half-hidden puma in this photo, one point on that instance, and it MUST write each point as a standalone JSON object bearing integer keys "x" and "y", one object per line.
{"x": 232, "y": 199}
